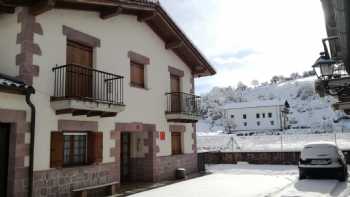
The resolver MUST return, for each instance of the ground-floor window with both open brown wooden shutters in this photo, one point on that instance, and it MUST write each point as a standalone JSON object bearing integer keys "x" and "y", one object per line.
{"x": 76, "y": 148}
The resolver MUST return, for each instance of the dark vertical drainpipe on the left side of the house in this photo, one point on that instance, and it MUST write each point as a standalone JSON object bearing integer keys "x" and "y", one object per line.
{"x": 29, "y": 92}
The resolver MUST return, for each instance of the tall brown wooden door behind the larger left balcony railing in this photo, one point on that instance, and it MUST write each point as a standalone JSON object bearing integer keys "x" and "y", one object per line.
{"x": 79, "y": 77}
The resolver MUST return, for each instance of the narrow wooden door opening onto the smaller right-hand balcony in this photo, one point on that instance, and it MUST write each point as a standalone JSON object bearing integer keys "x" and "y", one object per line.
{"x": 176, "y": 95}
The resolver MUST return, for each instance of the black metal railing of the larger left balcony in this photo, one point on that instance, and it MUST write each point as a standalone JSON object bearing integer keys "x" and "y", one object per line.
{"x": 83, "y": 83}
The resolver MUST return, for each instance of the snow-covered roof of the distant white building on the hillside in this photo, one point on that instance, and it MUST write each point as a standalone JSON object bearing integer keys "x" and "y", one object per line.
{"x": 266, "y": 103}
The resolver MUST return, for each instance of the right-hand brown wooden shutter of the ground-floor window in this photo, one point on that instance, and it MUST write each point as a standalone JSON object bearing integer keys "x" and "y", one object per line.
{"x": 95, "y": 147}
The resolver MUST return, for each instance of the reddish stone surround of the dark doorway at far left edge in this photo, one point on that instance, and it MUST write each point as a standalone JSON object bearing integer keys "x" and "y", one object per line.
{"x": 18, "y": 151}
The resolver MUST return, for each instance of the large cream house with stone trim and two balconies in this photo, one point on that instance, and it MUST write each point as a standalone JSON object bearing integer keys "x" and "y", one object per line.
{"x": 114, "y": 95}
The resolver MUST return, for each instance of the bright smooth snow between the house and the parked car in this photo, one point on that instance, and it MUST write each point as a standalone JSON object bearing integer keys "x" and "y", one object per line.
{"x": 230, "y": 181}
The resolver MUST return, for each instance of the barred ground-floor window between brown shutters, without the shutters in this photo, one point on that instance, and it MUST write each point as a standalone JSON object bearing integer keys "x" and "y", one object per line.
{"x": 75, "y": 149}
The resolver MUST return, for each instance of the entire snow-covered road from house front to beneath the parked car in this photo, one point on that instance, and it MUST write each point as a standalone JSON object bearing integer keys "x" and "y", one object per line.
{"x": 245, "y": 180}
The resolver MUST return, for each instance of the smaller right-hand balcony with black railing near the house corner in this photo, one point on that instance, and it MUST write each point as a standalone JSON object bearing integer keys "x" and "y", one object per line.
{"x": 182, "y": 107}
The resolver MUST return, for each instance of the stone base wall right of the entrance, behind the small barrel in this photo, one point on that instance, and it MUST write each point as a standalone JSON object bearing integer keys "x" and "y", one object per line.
{"x": 168, "y": 164}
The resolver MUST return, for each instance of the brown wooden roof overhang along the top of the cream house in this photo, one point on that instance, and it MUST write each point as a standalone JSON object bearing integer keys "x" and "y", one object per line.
{"x": 148, "y": 11}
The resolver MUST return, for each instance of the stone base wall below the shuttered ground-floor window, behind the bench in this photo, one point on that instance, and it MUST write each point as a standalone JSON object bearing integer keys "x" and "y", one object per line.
{"x": 61, "y": 182}
